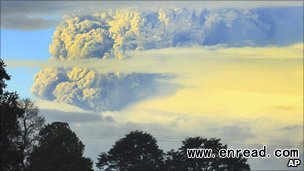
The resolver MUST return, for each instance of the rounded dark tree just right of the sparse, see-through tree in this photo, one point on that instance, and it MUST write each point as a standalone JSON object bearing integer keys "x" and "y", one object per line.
{"x": 59, "y": 149}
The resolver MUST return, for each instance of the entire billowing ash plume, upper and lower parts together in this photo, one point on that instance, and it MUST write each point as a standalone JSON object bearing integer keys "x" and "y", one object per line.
{"x": 114, "y": 33}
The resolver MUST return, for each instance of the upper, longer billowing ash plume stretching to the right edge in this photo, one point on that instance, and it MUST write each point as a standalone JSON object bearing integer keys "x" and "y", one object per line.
{"x": 111, "y": 34}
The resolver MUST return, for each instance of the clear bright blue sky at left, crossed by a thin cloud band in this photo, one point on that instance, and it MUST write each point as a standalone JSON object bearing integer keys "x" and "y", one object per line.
{"x": 24, "y": 45}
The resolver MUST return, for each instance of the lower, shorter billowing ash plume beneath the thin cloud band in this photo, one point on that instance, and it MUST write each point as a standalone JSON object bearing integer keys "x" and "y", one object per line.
{"x": 98, "y": 92}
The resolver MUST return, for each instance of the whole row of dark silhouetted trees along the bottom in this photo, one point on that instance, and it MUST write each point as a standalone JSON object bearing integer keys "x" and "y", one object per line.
{"x": 29, "y": 144}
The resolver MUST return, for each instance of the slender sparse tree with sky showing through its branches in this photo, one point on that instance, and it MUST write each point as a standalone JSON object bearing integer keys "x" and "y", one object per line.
{"x": 30, "y": 124}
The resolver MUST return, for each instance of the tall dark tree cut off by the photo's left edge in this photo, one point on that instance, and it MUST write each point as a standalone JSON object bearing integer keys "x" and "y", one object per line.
{"x": 9, "y": 112}
